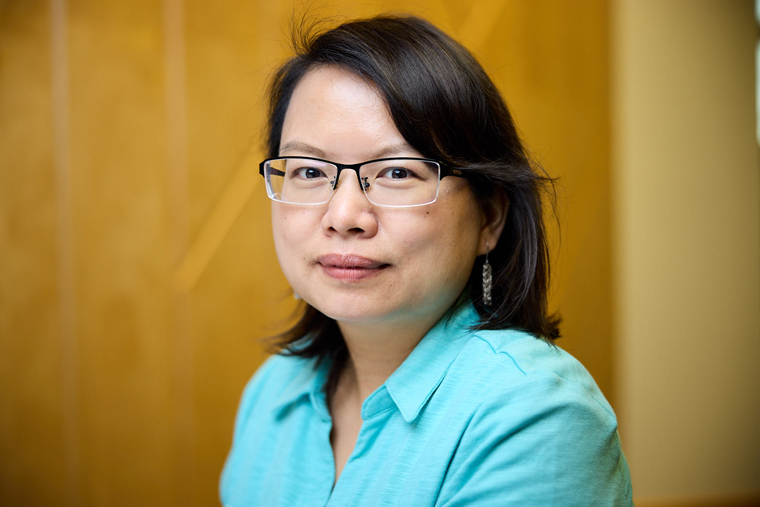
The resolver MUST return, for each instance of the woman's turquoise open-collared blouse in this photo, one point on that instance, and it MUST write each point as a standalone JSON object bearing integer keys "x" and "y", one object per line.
{"x": 471, "y": 418}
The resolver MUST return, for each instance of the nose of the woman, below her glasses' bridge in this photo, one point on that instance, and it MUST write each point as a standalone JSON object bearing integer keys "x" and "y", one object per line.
{"x": 349, "y": 212}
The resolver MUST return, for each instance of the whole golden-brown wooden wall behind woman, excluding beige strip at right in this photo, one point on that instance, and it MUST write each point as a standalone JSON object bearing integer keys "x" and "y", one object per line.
{"x": 129, "y": 398}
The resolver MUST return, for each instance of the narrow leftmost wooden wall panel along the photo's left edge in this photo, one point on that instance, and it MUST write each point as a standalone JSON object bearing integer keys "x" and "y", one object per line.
{"x": 32, "y": 415}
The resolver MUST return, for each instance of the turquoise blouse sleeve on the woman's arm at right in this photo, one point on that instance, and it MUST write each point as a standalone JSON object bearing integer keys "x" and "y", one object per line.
{"x": 547, "y": 442}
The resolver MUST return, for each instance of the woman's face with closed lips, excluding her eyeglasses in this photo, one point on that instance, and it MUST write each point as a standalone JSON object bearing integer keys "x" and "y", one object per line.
{"x": 352, "y": 260}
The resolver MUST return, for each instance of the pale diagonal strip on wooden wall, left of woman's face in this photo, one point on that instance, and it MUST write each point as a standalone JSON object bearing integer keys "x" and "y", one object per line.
{"x": 218, "y": 224}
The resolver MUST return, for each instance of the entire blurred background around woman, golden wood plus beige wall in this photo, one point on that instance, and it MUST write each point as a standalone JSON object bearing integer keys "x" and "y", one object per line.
{"x": 138, "y": 276}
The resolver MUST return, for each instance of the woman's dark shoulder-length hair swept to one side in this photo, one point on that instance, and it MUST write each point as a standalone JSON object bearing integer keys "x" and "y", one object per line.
{"x": 446, "y": 107}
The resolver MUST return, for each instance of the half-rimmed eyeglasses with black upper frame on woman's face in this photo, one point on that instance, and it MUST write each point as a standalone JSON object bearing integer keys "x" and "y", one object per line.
{"x": 390, "y": 182}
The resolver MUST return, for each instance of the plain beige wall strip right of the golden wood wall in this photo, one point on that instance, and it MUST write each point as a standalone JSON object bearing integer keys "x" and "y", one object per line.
{"x": 687, "y": 246}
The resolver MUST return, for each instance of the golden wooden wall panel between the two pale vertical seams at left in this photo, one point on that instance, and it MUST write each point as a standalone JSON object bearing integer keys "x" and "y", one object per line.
{"x": 118, "y": 171}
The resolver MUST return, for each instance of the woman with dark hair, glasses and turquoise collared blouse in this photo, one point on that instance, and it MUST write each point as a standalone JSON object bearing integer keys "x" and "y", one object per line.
{"x": 408, "y": 218}
